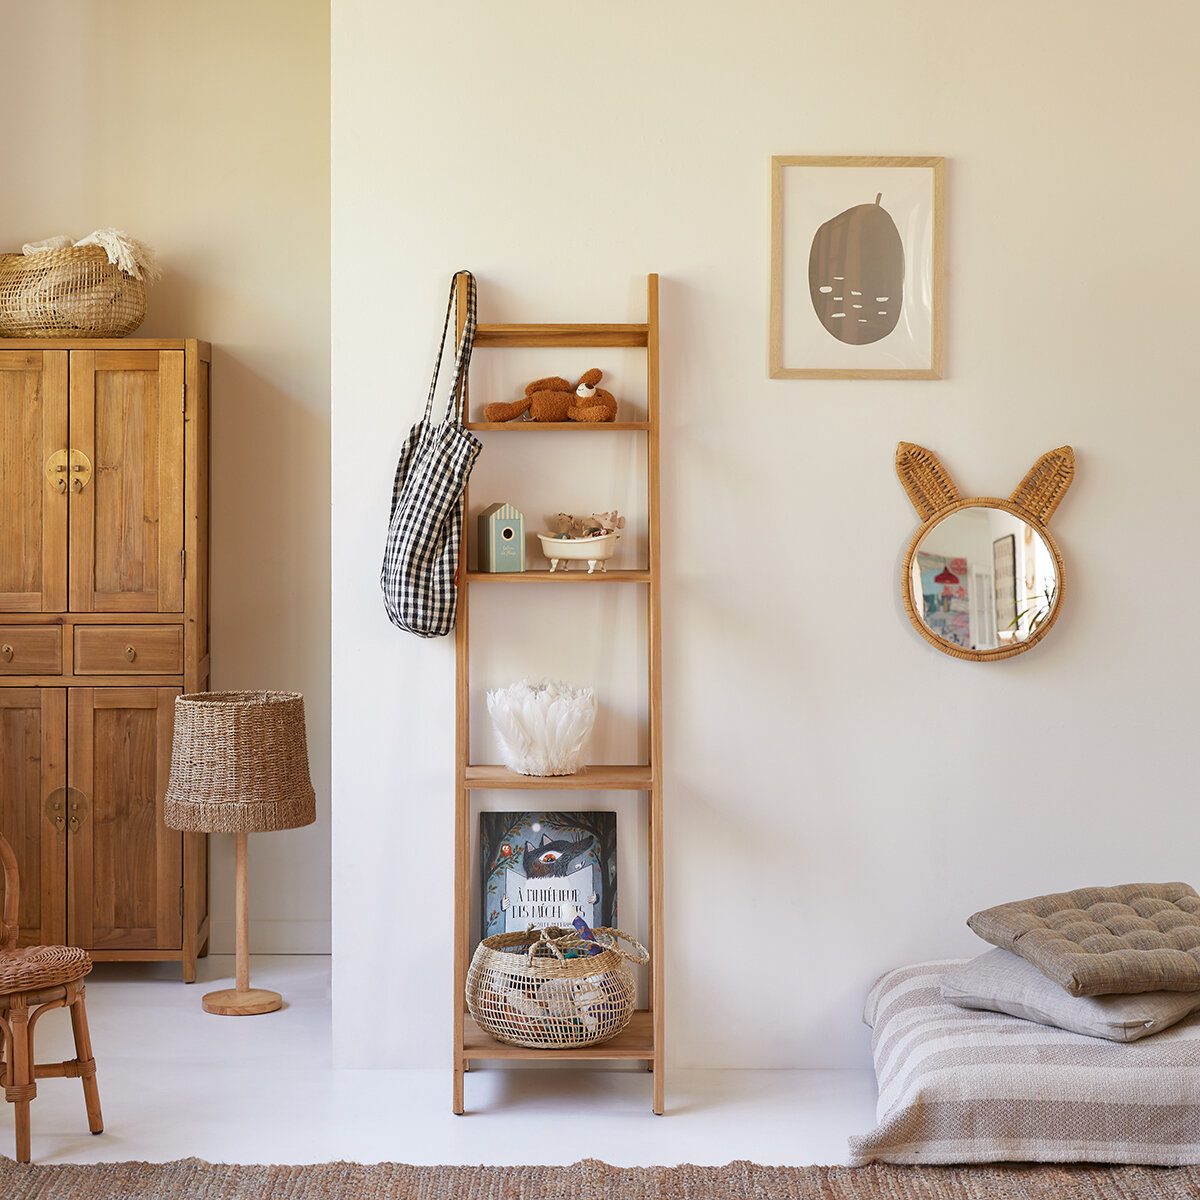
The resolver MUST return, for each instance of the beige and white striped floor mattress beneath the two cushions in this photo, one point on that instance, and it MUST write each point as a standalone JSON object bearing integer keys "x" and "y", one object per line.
{"x": 969, "y": 1087}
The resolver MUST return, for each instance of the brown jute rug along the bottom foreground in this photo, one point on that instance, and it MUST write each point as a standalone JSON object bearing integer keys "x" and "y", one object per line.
{"x": 591, "y": 1180}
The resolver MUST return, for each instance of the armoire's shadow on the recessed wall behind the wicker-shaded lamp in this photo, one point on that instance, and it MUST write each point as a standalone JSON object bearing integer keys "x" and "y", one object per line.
{"x": 272, "y": 626}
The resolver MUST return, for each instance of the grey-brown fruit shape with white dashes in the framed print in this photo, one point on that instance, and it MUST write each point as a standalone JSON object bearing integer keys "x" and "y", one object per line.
{"x": 856, "y": 274}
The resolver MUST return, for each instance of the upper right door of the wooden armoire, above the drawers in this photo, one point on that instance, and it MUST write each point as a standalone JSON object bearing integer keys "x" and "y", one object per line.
{"x": 128, "y": 523}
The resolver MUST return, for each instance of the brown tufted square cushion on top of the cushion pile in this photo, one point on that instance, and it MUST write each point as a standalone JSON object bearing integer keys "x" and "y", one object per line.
{"x": 1102, "y": 941}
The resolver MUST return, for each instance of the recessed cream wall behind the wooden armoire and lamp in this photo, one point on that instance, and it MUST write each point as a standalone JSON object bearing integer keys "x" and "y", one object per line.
{"x": 205, "y": 131}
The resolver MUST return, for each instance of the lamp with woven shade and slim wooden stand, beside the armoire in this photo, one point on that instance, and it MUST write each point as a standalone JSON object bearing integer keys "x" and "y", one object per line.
{"x": 239, "y": 765}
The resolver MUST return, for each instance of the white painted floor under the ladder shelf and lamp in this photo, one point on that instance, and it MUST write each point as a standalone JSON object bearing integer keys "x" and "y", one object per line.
{"x": 177, "y": 1083}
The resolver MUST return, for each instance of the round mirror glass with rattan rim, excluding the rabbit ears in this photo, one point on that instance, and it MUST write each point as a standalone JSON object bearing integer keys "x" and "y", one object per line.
{"x": 983, "y": 580}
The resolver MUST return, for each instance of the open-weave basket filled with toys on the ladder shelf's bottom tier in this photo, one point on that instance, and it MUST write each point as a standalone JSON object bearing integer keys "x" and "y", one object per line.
{"x": 527, "y": 989}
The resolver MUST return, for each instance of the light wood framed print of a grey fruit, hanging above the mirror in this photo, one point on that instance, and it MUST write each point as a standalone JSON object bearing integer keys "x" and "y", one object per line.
{"x": 856, "y": 268}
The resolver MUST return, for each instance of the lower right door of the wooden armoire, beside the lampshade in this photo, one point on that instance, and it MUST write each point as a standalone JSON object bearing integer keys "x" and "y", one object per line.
{"x": 125, "y": 866}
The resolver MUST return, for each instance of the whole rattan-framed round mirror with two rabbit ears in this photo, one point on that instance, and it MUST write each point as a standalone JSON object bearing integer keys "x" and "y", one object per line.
{"x": 983, "y": 578}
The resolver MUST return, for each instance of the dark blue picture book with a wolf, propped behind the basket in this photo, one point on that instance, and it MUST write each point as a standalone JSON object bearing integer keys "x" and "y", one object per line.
{"x": 533, "y": 863}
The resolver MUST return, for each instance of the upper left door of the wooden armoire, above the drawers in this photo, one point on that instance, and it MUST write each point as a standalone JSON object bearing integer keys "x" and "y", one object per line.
{"x": 33, "y": 512}
